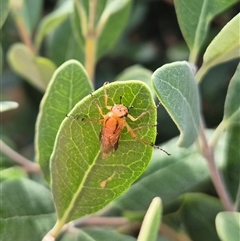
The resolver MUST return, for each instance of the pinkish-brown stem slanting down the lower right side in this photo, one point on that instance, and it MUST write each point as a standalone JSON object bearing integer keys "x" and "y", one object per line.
{"x": 217, "y": 180}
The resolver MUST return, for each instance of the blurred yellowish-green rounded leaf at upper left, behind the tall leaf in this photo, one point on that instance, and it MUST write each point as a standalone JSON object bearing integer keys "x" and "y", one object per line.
{"x": 37, "y": 70}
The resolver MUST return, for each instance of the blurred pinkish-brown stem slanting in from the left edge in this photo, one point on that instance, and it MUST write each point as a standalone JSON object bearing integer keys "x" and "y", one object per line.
{"x": 28, "y": 165}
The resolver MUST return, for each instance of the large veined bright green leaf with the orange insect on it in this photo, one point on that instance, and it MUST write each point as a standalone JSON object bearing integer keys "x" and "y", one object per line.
{"x": 83, "y": 182}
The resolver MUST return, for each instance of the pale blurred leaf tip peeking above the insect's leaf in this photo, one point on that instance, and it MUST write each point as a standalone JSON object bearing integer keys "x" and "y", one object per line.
{"x": 137, "y": 72}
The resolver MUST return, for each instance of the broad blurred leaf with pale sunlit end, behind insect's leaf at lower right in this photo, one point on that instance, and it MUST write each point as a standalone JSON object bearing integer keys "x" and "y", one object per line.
{"x": 170, "y": 176}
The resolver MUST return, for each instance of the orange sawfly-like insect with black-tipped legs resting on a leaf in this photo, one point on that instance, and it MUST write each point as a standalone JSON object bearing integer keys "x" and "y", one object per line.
{"x": 113, "y": 124}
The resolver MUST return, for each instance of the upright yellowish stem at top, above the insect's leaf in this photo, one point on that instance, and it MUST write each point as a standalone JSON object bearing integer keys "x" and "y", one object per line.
{"x": 91, "y": 41}
